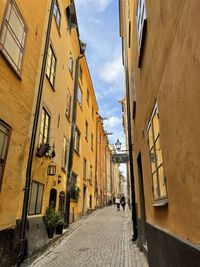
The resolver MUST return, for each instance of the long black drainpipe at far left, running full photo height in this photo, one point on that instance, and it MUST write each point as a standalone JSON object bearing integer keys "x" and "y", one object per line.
{"x": 22, "y": 235}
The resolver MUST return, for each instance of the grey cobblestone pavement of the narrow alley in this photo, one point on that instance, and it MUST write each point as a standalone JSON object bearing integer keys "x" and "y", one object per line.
{"x": 103, "y": 239}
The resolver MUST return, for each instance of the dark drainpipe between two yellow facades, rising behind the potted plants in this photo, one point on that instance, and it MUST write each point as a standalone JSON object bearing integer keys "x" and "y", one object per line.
{"x": 71, "y": 149}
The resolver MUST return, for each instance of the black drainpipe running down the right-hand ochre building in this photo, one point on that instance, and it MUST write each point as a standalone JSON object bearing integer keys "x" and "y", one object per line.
{"x": 130, "y": 146}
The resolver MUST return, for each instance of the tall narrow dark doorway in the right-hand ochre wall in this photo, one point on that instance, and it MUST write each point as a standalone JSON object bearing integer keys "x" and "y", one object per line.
{"x": 142, "y": 223}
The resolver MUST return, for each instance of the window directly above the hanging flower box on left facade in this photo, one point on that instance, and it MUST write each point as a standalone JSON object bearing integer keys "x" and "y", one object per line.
{"x": 44, "y": 128}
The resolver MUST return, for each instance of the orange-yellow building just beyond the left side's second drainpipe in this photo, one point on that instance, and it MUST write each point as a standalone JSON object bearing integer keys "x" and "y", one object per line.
{"x": 84, "y": 160}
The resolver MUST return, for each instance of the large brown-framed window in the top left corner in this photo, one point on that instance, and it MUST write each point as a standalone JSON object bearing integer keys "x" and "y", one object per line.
{"x": 13, "y": 36}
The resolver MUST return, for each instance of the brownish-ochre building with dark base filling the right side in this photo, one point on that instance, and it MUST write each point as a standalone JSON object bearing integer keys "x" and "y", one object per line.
{"x": 161, "y": 60}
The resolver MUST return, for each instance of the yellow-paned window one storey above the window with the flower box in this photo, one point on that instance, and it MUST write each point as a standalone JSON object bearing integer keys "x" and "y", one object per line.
{"x": 51, "y": 66}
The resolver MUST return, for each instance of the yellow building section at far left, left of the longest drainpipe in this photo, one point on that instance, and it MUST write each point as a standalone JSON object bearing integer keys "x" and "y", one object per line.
{"x": 21, "y": 38}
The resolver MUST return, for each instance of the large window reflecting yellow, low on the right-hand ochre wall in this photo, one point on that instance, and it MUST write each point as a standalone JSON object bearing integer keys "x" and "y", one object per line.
{"x": 156, "y": 159}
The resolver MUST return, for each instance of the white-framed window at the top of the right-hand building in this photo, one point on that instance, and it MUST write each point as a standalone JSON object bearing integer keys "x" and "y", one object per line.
{"x": 141, "y": 18}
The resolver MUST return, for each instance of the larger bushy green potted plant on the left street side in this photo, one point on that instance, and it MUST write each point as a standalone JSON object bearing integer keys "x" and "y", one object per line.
{"x": 51, "y": 220}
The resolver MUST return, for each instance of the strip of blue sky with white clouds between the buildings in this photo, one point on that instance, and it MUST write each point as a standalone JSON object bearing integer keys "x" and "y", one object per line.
{"x": 98, "y": 22}
